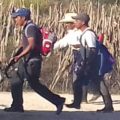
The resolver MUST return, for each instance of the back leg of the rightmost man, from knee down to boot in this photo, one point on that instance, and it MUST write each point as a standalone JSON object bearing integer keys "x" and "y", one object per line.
{"x": 106, "y": 97}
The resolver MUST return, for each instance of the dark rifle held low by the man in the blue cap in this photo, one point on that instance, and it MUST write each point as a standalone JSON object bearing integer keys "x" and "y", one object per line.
{"x": 12, "y": 62}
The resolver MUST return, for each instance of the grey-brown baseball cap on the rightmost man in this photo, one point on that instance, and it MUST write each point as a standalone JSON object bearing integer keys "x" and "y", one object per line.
{"x": 83, "y": 17}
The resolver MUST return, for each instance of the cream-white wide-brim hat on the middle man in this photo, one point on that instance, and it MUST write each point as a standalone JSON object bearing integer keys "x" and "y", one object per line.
{"x": 68, "y": 17}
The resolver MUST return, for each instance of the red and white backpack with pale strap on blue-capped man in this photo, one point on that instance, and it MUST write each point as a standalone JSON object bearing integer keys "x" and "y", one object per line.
{"x": 48, "y": 39}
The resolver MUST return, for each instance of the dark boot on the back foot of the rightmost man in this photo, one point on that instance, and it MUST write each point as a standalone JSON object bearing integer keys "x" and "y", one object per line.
{"x": 108, "y": 104}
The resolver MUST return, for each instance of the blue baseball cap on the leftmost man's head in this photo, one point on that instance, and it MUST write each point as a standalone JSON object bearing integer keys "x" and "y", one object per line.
{"x": 21, "y": 12}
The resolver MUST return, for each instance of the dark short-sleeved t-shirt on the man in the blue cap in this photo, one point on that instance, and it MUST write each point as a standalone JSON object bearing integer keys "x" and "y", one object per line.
{"x": 32, "y": 30}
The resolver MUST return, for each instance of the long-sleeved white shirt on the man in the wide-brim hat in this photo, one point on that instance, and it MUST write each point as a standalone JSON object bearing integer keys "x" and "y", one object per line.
{"x": 71, "y": 38}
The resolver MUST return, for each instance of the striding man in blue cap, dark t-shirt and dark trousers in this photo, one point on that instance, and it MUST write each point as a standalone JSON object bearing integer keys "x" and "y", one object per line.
{"x": 31, "y": 66}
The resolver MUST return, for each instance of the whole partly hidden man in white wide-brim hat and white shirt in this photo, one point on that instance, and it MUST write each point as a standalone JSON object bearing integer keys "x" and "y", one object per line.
{"x": 71, "y": 39}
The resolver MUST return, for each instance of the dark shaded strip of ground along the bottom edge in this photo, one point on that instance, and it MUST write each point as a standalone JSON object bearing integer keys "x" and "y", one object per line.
{"x": 65, "y": 115}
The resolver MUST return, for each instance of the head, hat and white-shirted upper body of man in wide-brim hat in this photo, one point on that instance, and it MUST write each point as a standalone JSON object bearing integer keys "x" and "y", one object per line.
{"x": 71, "y": 36}
